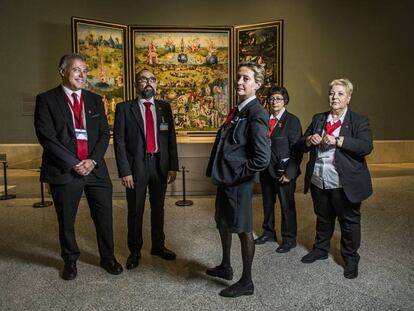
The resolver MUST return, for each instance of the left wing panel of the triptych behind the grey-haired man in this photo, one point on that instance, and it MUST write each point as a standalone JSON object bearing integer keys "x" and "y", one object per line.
{"x": 105, "y": 47}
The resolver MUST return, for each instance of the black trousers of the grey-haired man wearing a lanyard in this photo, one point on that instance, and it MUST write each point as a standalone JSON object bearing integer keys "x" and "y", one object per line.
{"x": 66, "y": 199}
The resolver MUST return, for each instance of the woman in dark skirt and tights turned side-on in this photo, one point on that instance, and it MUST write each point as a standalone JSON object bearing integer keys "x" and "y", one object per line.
{"x": 241, "y": 150}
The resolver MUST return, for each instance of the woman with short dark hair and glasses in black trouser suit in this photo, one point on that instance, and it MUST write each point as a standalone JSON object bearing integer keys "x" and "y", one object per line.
{"x": 279, "y": 179}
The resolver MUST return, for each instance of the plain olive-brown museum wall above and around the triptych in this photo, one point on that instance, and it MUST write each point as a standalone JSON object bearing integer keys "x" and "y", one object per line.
{"x": 370, "y": 42}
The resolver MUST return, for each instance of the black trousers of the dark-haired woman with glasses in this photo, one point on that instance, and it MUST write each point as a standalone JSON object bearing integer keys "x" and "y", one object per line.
{"x": 271, "y": 189}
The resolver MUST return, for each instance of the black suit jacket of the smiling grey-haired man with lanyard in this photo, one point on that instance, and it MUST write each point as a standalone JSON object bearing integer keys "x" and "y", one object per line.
{"x": 56, "y": 133}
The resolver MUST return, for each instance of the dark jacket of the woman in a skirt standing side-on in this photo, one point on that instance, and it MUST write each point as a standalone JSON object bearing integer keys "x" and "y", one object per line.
{"x": 242, "y": 149}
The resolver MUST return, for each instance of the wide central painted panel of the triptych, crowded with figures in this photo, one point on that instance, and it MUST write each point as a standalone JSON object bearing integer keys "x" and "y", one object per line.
{"x": 193, "y": 70}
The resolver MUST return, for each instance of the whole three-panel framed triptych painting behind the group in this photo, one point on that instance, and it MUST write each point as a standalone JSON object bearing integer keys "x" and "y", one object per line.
{"x": 195, "y": 66}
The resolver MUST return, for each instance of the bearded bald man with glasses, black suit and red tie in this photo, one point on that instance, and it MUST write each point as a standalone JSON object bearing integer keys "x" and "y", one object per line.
{"x": 146, "y": 155}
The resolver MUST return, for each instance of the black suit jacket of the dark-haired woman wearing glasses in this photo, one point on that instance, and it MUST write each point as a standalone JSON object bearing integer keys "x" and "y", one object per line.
{"x": 283, "y": 145}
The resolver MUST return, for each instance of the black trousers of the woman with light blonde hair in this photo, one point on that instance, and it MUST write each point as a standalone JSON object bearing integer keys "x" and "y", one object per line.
{"x": 329, "y": 204}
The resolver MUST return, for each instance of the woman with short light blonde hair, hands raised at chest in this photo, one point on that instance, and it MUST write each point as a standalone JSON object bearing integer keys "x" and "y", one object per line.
{"x": 337, "y": 174}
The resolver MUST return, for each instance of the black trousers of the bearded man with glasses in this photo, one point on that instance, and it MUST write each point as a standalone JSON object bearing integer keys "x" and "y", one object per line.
{"x": 156, "y": 183}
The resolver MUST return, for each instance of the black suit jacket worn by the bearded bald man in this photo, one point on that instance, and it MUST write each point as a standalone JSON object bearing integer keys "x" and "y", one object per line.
{"x": 129, "y": 139}
